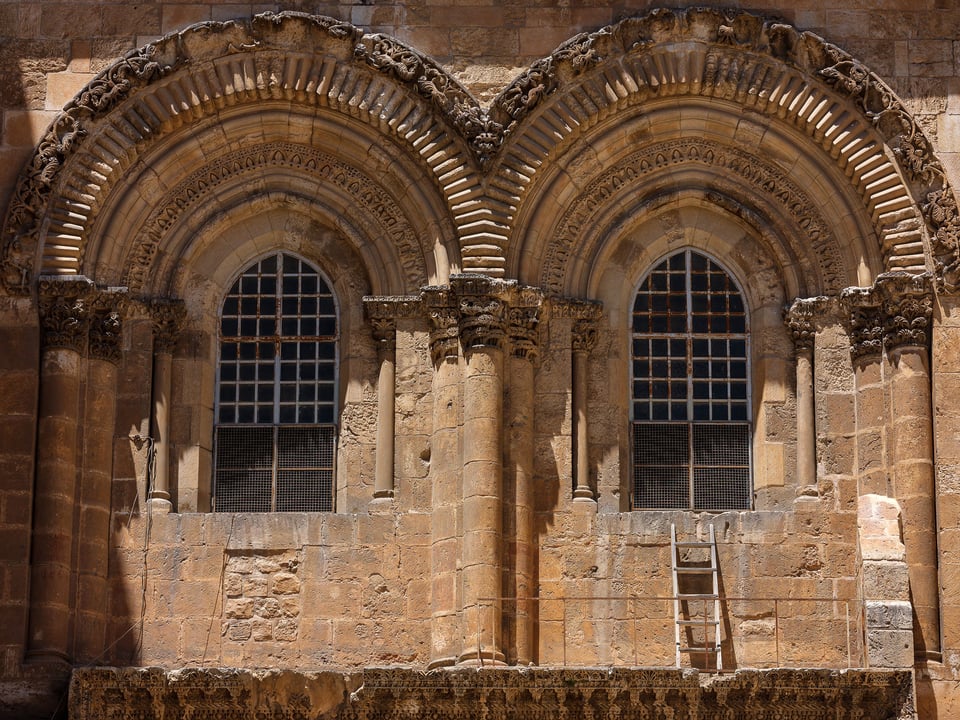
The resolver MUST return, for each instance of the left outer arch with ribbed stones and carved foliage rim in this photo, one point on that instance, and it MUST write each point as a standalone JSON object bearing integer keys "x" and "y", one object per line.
{"x": 310, "y": 64}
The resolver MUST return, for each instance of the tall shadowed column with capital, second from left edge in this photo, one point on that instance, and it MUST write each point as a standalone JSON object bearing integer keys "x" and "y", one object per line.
{"x": 99, "y": 429}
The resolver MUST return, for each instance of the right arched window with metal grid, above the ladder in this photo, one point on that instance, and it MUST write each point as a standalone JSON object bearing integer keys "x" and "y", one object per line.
{"x": 691, "y": 388}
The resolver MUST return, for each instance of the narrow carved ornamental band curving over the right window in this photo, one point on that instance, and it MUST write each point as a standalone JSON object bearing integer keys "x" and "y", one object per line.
{"x": 763, "y": 178}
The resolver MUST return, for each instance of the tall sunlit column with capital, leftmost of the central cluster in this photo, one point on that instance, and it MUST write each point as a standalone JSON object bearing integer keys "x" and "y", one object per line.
{"x": 445, "y": 478}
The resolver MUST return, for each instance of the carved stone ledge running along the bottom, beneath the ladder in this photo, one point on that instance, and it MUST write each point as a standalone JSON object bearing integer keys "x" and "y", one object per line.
{"x": 520, "y": 693}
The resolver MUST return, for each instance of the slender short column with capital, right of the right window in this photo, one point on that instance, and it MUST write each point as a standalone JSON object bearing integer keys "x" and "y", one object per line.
{"x": 800, "y": 322}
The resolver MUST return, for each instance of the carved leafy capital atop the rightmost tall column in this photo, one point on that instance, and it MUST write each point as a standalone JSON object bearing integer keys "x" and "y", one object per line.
{"x": 907, "y": 302}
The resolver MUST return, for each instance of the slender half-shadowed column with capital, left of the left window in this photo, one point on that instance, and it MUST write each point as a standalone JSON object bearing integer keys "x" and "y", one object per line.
{"x": 168, "y": 317}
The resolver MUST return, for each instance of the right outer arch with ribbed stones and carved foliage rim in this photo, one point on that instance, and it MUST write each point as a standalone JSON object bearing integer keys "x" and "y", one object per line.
{"x": 784, "y": 78}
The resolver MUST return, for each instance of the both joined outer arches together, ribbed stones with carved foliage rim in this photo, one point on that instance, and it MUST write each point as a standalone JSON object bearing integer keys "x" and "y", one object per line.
{"x": 478, "y": 172}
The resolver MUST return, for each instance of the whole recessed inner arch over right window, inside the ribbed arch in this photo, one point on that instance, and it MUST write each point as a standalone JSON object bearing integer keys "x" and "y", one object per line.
{"x": 593, "y": 220}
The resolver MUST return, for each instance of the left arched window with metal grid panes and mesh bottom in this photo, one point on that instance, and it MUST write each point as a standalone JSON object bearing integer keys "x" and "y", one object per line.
{"x": 276, "y": 400}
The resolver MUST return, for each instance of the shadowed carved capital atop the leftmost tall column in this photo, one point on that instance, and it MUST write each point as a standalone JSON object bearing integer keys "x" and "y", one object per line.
{"x": 65, "y": 304}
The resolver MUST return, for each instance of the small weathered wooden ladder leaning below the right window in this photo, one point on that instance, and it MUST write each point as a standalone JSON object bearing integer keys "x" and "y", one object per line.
{"x": 685, "y": 603}
